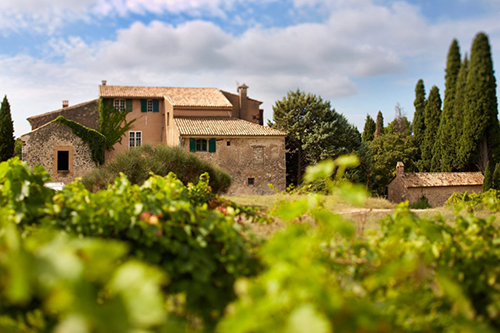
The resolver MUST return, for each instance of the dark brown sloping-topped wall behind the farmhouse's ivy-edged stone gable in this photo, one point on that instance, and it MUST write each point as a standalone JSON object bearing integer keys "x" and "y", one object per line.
{"x": 86, "y": 114}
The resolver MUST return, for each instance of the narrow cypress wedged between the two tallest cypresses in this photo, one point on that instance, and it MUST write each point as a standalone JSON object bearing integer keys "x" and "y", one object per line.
{"x": 459, "y": 106}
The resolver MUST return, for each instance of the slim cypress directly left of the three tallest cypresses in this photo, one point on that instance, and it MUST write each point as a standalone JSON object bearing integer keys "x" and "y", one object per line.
{"x": 432, "y": 118}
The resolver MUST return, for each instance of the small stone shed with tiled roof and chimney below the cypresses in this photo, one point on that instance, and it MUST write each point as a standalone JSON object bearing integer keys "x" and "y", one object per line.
{"x": 437, "y": 187}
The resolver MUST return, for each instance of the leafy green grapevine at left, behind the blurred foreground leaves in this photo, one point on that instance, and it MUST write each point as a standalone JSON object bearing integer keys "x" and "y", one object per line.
{"x": 164, "y": 222}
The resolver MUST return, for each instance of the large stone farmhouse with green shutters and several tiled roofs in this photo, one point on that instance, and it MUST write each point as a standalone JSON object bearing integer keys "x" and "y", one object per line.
{"x": 223, "y": 128}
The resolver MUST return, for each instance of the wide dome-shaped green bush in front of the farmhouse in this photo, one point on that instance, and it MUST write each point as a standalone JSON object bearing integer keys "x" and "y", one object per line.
{"x": 138, "y": 163}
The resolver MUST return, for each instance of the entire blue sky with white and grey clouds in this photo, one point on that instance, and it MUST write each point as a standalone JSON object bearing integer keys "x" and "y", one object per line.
{"x": 362, "y": 55}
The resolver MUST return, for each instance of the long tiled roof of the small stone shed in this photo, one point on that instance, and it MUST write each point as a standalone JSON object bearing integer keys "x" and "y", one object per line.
{"x": 438, "y": 179}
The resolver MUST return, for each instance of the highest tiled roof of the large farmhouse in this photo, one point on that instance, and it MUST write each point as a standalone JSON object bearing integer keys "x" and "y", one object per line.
{"x": 196, "y": 97}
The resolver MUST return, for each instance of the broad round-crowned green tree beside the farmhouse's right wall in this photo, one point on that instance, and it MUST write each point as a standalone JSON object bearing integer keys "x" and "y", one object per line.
{"x": 315, "y": 131}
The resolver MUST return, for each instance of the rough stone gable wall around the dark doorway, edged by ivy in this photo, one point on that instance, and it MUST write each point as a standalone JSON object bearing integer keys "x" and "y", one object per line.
{"x": 46, "y": 141}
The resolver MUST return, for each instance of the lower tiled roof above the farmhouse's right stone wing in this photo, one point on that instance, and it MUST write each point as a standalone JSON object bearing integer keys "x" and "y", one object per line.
{"x": 222, "y": 126}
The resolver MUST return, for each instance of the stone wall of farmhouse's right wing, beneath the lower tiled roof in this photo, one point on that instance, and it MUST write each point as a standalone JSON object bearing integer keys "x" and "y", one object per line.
{"x": 262, "y": 159}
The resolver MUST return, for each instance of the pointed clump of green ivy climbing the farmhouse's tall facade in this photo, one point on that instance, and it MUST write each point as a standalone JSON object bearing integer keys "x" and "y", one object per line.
{"x": 113, "y": 124}
